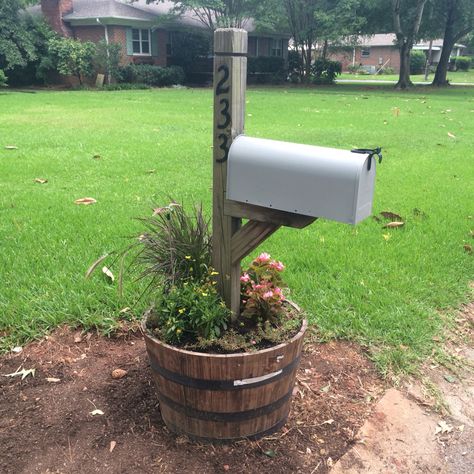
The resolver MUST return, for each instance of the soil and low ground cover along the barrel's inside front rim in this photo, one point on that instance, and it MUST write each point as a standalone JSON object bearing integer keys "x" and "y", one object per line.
{"x": 243, "y": 337}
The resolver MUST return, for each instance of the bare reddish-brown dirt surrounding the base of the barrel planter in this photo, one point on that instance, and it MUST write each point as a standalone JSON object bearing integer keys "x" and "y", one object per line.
{"x": 48, "y": 426}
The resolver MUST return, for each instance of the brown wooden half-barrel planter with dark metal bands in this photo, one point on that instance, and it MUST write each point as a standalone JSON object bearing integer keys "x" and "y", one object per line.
{"x": 214, "y": 397}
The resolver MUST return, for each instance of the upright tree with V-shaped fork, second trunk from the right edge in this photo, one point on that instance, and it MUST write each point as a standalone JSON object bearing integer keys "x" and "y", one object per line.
{"x": 406, "y": 16}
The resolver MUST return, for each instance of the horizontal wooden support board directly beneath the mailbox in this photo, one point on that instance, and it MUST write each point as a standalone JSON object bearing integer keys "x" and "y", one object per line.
{"x": 265, "y": 214}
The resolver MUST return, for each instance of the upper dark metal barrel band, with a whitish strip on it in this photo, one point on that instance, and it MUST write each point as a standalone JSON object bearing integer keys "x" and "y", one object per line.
{"x": 203, "y": 384}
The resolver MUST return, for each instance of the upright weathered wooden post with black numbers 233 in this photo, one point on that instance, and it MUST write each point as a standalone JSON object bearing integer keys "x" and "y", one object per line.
{"x": 230, "y": 79}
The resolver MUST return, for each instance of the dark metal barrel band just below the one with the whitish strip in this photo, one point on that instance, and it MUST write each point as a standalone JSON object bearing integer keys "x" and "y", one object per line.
{"x": 225, "y": 416}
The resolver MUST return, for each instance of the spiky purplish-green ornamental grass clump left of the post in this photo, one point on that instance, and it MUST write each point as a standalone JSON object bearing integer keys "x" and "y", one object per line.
{"x": 175, "y": 247}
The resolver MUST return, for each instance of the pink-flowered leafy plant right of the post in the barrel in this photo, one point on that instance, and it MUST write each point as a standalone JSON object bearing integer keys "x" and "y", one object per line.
{"x": 261, "y": 290}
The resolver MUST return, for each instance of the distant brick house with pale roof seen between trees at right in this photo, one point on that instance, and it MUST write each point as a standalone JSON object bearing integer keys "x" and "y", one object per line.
{"x": 380, "y": 50}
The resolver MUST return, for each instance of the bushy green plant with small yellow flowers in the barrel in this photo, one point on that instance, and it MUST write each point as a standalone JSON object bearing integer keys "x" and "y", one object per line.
{"x": 188, "y": 312}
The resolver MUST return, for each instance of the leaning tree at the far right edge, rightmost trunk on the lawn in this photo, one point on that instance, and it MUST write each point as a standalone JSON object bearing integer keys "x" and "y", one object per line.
{"x": 458, "y": 19}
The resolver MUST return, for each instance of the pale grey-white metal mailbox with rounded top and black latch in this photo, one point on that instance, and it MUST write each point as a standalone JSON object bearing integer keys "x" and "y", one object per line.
{"x": 302, "y": 179}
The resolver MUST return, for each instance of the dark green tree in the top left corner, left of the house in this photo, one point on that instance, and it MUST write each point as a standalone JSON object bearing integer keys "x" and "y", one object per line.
{"x": 16, "y": 42}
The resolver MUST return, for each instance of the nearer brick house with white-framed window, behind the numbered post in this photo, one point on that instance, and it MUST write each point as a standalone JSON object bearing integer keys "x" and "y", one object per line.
{"x": 145, "y": 31}
